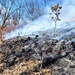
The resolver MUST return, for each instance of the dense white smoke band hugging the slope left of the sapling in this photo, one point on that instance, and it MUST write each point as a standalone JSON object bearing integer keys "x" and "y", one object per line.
{"x": 39, "y": 24}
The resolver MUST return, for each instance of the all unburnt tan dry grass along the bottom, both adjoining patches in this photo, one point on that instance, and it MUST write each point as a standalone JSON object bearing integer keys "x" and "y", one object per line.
{"x": 28, "y": 66}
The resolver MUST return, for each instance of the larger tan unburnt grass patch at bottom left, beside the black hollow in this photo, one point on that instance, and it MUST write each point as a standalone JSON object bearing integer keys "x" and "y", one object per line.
{"x": 21, "y": 67}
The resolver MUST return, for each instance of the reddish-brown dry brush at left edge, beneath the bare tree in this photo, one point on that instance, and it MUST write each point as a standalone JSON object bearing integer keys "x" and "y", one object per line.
{"x": 4, "y": 30}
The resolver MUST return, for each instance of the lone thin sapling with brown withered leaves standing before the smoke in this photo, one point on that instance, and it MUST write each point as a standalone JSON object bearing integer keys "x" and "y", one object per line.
{"x": 56, "y": 11}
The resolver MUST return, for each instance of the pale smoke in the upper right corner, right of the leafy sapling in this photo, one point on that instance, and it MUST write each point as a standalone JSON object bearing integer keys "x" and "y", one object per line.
{"x": 68, "y": 11}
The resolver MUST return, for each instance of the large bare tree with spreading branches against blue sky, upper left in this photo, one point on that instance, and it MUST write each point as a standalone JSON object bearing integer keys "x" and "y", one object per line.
{"x": 9, "y": 9}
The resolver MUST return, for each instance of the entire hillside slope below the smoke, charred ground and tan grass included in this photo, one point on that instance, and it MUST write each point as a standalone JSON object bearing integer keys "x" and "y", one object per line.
{"x": 39, "y": 54}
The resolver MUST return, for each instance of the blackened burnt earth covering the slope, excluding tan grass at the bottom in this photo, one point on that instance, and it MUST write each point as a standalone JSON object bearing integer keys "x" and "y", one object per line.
{"x": 59, "y": 55}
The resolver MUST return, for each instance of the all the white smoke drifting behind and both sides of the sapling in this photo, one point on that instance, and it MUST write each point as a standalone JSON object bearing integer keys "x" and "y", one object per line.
{"x": 44, "y": 22}
